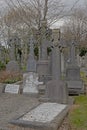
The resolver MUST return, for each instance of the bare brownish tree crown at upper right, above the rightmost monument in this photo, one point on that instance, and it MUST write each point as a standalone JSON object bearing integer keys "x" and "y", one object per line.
{"x": 75, "y": 27}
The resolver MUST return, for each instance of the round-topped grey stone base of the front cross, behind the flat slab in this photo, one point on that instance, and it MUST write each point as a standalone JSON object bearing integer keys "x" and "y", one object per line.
{"x": 56, "y": 91}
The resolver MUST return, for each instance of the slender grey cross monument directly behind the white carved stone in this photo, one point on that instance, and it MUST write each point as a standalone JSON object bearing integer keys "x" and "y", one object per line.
{"x": 31, "y": 64}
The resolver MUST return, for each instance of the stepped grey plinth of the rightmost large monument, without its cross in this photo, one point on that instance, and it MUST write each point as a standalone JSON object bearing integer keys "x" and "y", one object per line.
{"x": 74, "y": 83}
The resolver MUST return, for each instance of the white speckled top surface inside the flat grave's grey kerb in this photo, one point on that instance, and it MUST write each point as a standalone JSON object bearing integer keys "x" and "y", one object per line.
{"x": 44, "y": 113}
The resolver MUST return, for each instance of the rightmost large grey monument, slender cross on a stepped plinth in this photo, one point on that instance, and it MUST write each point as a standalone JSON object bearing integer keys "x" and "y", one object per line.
{"x": 75, "y": 85}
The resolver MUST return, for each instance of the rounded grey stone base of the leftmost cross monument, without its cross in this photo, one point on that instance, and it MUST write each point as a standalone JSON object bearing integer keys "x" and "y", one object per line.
{"x": 12, "y": 66}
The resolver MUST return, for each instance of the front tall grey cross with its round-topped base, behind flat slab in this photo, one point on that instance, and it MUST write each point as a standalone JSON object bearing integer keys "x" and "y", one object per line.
{"x": 56, "y": 89}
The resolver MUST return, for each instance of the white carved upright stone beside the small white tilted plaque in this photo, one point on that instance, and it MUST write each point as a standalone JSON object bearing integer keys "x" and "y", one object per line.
{"x": 30, "y": 83}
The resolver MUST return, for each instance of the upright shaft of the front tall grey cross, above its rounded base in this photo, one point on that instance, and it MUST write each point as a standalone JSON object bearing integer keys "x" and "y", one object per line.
{"x": 56, "y": 56}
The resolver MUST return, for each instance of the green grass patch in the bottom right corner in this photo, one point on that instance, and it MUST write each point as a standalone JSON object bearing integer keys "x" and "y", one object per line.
{"x": 78, "y": 115}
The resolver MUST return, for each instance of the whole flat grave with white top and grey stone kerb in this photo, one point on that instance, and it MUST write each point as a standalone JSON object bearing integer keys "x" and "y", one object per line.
{"x": 46, "y": 116}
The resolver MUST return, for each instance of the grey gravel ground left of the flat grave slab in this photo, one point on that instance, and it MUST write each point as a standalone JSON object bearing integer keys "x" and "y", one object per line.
{"x": 14, "y": 105}
